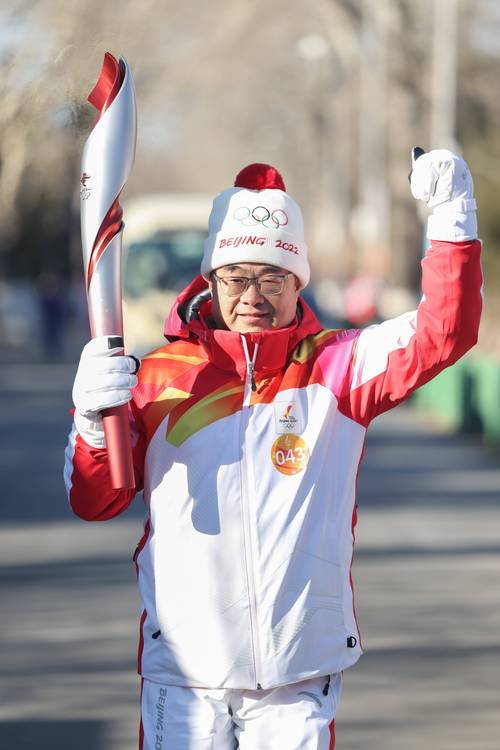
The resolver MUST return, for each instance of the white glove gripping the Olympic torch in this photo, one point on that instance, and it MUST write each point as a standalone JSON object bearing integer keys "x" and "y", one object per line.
{"x": 104, "y": 379}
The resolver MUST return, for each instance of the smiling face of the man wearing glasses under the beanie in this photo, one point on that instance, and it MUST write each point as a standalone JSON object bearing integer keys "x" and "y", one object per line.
{"x": 252, "y": 310}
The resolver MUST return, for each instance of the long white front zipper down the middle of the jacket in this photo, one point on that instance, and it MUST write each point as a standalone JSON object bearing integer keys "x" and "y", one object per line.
{"x": 246, "y": 489}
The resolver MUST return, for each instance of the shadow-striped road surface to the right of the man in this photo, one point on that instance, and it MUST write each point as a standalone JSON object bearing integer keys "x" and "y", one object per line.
{"x": 428, "y": 591}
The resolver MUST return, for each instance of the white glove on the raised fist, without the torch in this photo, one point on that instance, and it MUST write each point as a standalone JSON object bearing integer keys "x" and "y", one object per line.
{"x": 442, "y": 180}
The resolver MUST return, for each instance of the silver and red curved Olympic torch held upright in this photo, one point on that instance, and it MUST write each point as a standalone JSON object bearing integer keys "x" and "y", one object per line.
{"x": 107, "y": 160}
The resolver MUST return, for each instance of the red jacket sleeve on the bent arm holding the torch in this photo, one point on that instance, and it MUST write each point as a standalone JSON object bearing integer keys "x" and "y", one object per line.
{"x": 86, "y": 474}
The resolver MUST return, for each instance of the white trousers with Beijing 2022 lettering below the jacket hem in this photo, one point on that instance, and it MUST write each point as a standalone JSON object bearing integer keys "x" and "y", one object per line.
{"x": 292, "y": 717}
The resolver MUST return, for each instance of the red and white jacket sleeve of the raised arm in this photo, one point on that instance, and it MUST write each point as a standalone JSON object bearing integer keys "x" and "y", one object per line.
{"x": 394, "y": 358}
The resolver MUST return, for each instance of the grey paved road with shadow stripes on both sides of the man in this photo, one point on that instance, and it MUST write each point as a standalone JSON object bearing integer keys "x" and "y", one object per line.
{"x": 427, "y": 578}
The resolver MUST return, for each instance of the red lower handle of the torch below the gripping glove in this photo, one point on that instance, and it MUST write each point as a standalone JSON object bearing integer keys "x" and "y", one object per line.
{"x": 119, "y": 446}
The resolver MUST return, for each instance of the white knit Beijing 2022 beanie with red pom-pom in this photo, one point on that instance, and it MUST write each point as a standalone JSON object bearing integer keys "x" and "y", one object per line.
{"x": 256, "y": 221}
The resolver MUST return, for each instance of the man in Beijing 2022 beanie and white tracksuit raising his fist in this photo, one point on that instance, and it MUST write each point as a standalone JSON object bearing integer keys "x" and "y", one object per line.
{"x": 248, "y": 431}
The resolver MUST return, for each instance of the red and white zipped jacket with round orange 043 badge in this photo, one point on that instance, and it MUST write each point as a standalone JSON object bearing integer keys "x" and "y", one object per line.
{"x": 245, "y": 563}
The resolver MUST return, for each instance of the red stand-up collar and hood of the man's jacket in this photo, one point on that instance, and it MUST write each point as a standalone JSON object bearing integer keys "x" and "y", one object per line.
{"x": 225, "y": 348}
